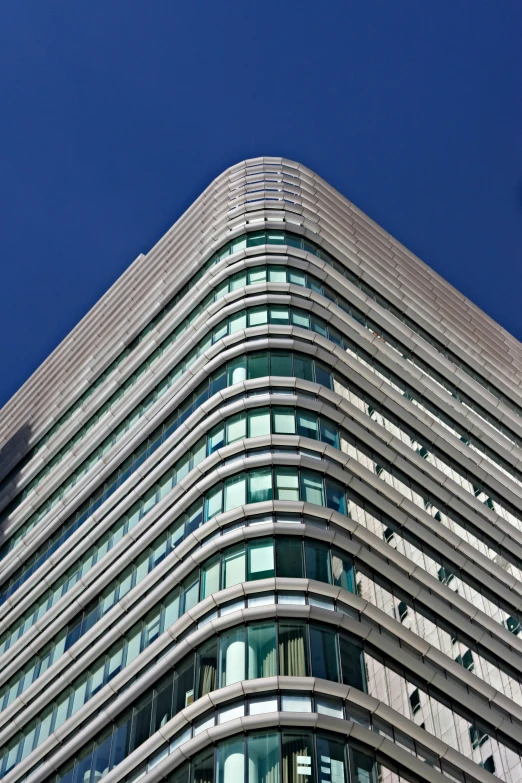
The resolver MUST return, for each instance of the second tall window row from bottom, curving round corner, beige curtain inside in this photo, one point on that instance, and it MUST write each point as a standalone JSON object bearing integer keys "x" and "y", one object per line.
{"x": 296, "y": 648}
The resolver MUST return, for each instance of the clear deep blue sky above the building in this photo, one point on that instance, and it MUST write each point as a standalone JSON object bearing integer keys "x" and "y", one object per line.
{"x": 116, "y": 115}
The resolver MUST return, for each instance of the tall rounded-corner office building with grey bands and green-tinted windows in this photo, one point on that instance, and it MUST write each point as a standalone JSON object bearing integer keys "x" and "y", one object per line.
{"x": 261, "y": 514}
